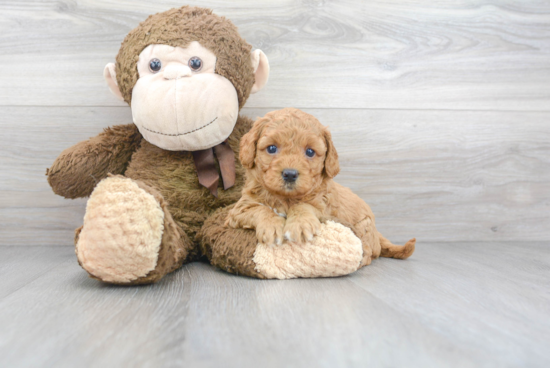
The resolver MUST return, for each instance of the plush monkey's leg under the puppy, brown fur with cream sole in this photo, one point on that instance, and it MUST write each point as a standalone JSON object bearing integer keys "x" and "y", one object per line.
{"x": 335, "y": 251}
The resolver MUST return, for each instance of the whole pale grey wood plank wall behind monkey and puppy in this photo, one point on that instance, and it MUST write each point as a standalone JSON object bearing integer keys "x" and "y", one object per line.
{"x": 440, "y": 110}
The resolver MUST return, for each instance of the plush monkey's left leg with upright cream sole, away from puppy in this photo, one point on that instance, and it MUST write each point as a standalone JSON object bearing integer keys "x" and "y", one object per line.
{"x": 128, "y": 236}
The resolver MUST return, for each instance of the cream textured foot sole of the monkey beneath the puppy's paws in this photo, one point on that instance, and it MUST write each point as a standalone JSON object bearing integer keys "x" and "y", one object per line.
{"x": 335, "y": 251}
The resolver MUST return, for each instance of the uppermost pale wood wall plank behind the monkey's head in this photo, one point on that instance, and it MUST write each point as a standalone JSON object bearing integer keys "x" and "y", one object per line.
{"x": 474, "y": 54}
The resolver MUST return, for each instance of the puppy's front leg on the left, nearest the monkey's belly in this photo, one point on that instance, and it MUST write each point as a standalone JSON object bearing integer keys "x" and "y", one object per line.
{"x": 248, "y": 214}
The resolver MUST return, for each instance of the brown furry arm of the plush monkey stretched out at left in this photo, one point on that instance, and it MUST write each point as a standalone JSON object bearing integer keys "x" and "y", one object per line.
{"x": 79, "y": 168}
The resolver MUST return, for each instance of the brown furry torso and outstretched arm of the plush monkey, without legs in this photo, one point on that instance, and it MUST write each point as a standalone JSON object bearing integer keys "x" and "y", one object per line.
{"x": 170, "y": 173}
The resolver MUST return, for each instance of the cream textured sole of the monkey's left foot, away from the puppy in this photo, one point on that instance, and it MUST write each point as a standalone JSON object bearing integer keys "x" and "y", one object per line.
{"x": 122, "y": 231}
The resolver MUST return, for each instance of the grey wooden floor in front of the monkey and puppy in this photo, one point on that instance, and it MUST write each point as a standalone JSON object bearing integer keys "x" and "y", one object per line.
{"x": 450, "y": 305}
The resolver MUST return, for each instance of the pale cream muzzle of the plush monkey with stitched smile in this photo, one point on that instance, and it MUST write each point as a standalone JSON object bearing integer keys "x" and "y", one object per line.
{"x": 183, "y": 119}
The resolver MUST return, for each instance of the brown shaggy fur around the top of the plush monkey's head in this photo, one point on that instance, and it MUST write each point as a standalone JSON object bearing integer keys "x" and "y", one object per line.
{"x": 179, "y": 27}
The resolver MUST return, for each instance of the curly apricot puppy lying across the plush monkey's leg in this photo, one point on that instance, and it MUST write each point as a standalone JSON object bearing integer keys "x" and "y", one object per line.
{"x": 289, "y": 191}
